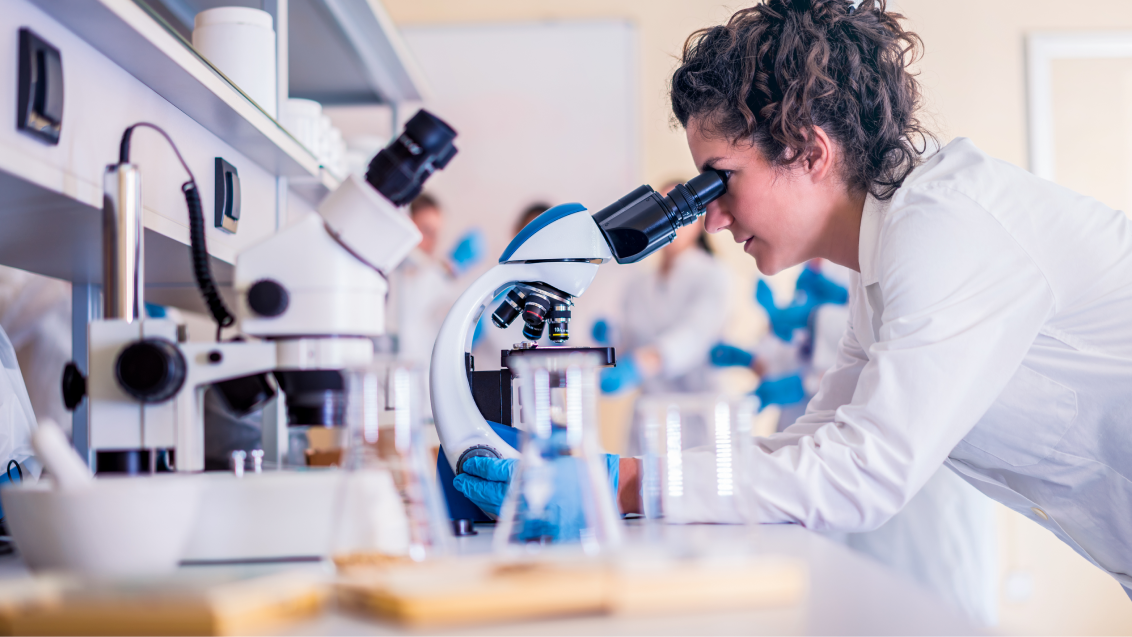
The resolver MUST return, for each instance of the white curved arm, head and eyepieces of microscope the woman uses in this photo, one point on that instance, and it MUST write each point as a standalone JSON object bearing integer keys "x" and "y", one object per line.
{"x": 553, "y": 260}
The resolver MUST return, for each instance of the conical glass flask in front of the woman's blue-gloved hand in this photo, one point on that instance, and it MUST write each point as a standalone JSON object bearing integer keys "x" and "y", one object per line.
{"x": 561, "y": 492}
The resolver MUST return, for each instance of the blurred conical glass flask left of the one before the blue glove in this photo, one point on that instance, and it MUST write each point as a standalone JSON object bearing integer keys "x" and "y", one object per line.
{"x": 390, "y": 506}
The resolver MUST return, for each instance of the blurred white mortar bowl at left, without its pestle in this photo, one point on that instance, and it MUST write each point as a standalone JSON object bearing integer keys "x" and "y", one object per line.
{"x": 115, "y": 528}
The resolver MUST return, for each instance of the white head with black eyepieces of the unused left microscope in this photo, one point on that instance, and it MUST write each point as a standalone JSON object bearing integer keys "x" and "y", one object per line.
{"x": 319, "y": 288}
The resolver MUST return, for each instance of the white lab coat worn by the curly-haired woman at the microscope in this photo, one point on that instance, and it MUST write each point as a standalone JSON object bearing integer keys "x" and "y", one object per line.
{"x": 989, "y": 332}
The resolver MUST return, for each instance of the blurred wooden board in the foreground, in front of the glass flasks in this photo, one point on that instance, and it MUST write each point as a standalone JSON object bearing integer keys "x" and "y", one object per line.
{"x": 481, "y": 591}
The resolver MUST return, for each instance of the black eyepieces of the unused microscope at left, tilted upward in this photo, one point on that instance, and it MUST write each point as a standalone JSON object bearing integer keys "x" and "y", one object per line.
{"x": 399, "y": 170}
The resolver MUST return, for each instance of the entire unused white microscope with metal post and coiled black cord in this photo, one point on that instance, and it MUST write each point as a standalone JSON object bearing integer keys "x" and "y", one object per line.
{"x": 313, "y": 296}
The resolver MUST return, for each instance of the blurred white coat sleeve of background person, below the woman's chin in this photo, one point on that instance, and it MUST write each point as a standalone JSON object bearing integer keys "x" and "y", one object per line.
{"x": 688, "y": 345}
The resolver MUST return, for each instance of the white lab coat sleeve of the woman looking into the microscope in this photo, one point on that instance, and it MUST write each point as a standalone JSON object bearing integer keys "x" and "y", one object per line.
{"x": 963, "y": 303}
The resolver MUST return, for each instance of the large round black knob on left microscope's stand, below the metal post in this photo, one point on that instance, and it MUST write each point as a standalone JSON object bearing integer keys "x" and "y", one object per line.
{"x": 152, "y": 371}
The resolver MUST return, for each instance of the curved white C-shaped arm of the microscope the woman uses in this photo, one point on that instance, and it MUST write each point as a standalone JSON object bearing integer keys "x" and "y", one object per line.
{"x": 459, "y": 423}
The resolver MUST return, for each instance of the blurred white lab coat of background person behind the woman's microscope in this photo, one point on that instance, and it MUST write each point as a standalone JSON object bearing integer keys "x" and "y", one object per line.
{"x": 682, "y": 316}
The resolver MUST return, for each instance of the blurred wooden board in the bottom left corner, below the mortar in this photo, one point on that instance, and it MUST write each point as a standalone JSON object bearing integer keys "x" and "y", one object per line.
{"x": 186, "y": 605}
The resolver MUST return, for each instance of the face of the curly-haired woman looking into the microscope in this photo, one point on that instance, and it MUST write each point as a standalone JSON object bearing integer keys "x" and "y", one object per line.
{"x": 778, "y": 214}
